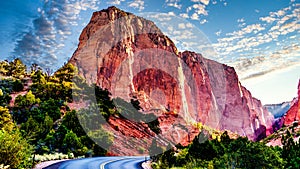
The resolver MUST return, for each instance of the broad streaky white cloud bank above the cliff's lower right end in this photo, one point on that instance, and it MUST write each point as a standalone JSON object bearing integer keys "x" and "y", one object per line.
{"x": 251, "y": 49}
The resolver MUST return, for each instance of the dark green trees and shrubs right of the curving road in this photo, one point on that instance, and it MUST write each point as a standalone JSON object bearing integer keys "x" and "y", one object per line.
{"x": 230, "y": 153}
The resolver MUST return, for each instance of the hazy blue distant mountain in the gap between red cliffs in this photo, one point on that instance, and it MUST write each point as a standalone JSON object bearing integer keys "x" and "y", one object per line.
{"x": 278, "y": 110}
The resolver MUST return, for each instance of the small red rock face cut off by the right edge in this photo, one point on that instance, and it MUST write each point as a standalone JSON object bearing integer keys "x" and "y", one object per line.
{"x": 293, "y": 114}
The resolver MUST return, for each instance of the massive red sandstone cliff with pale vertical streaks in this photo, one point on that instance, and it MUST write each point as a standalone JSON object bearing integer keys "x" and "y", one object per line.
{"x": 130, "y": 56}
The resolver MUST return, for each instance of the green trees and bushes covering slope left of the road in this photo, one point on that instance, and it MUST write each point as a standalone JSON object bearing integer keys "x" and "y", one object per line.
{"x": 36, "y": 120}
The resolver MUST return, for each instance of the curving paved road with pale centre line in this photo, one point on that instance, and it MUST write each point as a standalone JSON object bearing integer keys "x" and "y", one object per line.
{"x": 100, "y": 163}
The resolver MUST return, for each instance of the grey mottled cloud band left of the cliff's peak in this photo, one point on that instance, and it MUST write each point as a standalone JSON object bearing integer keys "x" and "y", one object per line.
{"x": 43, "y": 41}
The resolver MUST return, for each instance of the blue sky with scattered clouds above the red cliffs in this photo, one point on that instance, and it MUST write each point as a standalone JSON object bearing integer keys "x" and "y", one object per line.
{"x": 259, "y": 38}
